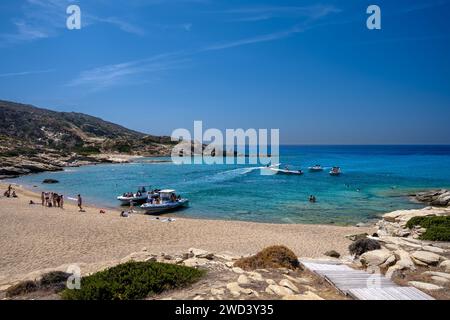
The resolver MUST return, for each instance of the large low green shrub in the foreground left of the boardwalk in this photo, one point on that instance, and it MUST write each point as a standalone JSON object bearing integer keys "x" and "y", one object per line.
{"x": 133, "y": 280}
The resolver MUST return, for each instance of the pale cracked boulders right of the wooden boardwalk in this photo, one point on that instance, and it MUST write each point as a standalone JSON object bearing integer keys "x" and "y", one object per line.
{"x": 426, "y": 264}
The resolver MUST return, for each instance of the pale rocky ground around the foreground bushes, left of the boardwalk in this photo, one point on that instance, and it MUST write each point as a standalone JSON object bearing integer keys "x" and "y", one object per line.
{"x": 223, "y": 279}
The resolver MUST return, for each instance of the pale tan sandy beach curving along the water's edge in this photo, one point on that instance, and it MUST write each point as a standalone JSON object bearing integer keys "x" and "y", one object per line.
{"x": 33, "y": 237}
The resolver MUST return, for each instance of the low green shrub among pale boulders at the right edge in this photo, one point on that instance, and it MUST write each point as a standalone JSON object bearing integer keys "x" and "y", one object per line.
{"x": 437, "y": 228}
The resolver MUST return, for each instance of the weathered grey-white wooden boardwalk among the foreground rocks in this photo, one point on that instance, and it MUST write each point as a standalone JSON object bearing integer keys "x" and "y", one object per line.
{"x": 361, "y": 285}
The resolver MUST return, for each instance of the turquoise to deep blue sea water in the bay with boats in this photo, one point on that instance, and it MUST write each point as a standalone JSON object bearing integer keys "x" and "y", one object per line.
{"x": 375, "y": 180}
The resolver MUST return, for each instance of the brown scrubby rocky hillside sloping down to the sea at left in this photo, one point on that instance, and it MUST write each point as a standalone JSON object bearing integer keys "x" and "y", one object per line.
{"x": 34, "y": 140}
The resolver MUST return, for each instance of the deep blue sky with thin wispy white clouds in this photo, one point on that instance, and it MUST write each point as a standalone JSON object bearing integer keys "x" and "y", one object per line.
{"x": 310, "y": 68}
